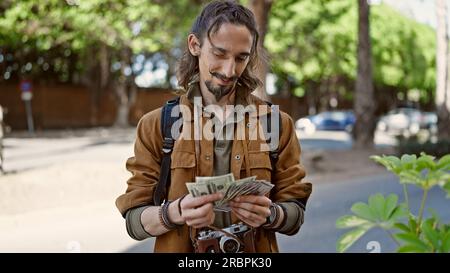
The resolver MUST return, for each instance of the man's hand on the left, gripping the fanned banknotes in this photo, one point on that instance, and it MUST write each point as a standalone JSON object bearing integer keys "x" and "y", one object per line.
{"x": 198, "y": 211}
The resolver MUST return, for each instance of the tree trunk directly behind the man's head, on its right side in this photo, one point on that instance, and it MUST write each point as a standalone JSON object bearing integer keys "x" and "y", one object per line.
{"x": 261, "y": 9}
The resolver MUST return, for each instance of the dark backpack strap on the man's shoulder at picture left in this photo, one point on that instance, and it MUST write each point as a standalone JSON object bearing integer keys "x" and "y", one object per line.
{"x": 167, "y": 120}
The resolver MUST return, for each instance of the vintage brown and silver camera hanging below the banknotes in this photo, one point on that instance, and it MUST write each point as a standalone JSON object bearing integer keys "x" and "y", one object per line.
{"x": 231, "y": 239}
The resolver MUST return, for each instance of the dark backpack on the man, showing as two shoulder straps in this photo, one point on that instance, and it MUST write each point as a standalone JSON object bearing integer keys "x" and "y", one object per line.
{"x": 167, "y": 120}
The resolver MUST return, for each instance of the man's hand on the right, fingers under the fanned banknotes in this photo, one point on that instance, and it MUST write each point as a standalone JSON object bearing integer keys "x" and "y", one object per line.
{"x": 251, "y": 209}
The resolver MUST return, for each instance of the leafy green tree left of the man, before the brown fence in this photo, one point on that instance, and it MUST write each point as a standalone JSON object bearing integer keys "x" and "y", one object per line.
{"x": 93, "y": 42}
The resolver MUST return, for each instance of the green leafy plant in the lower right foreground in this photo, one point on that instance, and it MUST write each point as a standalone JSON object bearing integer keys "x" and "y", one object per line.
{"x": 414, "y": 234}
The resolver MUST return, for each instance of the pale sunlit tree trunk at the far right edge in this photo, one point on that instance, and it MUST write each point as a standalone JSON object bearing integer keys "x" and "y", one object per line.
{"x": 442, "y": 85}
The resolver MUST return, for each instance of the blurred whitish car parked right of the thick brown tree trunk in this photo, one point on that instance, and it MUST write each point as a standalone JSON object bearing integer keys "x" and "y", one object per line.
{"x": 406, "y": 121}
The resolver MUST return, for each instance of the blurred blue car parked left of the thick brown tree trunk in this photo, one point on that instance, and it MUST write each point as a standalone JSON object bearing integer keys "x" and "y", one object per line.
{"x": 329, "y": 120}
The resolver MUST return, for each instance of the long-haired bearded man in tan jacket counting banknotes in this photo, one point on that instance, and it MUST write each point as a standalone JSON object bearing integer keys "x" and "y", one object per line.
{"x": 216, "y": 73}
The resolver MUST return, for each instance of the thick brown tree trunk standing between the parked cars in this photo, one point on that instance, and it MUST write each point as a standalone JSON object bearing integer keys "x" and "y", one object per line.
{"x": 364, "y": 105}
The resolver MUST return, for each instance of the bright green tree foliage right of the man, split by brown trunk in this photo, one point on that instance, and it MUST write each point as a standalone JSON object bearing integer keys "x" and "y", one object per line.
{"x": 313, "y": 53}
